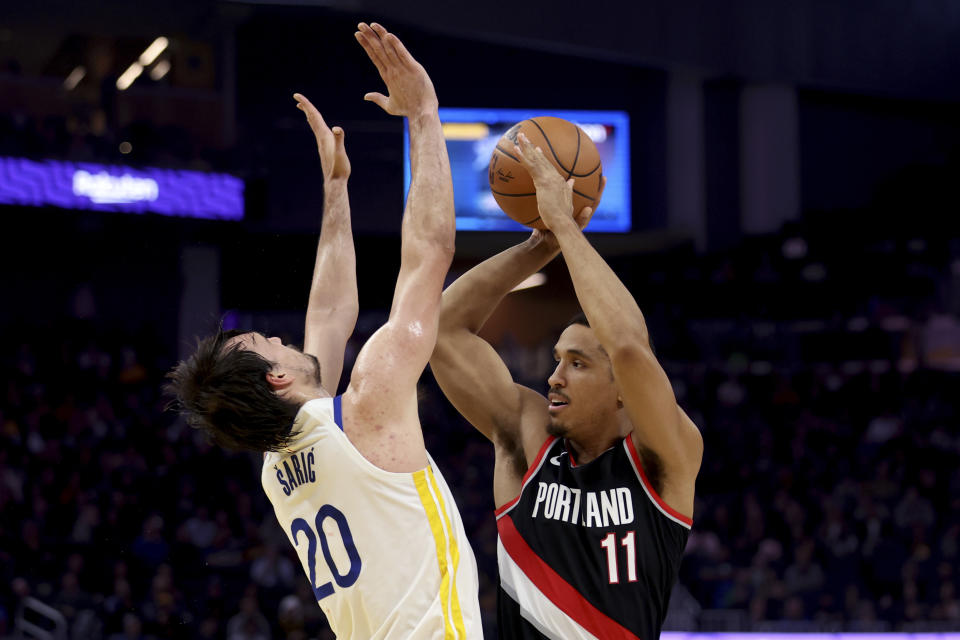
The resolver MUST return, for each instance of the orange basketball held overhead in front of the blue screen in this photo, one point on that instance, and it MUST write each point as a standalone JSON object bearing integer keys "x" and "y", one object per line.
{"x": 566, "y": 146}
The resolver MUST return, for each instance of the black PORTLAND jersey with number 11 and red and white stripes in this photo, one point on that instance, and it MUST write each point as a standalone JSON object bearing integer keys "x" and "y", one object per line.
{"x": 587, "y": 551}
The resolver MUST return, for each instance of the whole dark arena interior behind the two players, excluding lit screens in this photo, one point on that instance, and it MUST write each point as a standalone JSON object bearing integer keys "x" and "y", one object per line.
{"x": 795, "y": 249}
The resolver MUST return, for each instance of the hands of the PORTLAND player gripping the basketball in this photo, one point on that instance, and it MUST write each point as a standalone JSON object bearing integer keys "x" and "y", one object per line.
{"x": 554, "y": 195}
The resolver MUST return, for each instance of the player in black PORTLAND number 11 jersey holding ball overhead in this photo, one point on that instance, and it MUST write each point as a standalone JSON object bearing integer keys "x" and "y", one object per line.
{"x": 593, "y": 484}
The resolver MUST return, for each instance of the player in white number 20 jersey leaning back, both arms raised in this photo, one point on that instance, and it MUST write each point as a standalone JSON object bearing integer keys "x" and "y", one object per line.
{"x": 366, "y": 508}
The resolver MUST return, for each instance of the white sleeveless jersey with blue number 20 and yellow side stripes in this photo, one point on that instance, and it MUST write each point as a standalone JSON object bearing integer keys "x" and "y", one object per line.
{"x": 385, "y": 552}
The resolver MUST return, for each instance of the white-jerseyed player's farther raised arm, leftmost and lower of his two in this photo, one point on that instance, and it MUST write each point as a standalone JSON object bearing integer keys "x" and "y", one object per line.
{"x": 333, "y": 305}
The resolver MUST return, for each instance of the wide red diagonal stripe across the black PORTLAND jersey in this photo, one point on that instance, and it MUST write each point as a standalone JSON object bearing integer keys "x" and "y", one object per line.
{"x": 556, "y": 589}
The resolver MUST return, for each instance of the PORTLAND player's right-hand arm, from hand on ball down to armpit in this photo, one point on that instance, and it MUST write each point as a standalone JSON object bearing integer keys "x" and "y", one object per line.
{"x": 659, "y": 424}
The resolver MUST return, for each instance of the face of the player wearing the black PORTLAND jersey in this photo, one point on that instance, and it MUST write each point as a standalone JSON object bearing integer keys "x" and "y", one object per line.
{"x": 582, "y": 392}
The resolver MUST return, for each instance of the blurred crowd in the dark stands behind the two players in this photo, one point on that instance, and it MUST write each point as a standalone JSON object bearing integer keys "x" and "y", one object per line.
{"x": 828, "y": 498}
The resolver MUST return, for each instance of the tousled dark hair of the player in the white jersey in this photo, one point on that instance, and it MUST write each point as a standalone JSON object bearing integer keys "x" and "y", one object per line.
{"x": 223, "y": 391}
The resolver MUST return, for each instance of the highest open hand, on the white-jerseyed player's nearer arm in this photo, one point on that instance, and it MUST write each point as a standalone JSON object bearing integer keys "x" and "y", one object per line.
{"x": 409, "y": 87}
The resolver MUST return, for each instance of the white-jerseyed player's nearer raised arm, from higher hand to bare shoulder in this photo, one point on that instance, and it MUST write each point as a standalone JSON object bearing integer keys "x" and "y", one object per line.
{"x": 381, "y": 401}
